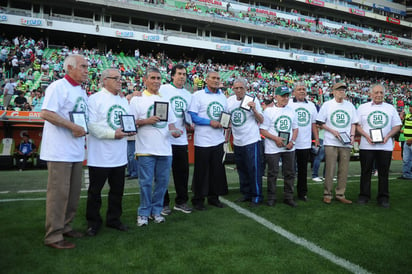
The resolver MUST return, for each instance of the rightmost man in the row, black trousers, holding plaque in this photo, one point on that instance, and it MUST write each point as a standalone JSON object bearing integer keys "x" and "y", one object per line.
{"x": 378, "y": 123}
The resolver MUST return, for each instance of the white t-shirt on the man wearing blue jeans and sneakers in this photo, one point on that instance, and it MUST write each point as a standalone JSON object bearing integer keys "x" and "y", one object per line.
{"x": 151, "y": 139}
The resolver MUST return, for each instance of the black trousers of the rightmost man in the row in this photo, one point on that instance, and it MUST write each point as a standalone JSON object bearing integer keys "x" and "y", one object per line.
{"x": 382, "y": 161}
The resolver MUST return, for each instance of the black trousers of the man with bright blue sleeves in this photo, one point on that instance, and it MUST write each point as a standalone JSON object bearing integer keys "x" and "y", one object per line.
{"x": 209, "y": 175}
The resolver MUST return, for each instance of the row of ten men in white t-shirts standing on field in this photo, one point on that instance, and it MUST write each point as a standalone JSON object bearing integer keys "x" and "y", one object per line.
{"x": 161, "y": 145}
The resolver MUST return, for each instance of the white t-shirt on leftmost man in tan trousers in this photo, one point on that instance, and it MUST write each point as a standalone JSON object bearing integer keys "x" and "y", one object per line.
{"x": 58, "y": 143}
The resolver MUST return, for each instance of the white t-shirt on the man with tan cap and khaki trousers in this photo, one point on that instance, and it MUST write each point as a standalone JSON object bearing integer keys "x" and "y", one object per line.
{"x": 337, "y": 116}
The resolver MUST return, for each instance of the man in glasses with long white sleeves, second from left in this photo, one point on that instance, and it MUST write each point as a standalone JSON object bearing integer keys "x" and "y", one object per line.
{"x": 107, "y": 151}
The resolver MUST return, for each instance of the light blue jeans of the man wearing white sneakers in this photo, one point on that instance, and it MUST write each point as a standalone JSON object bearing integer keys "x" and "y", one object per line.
{"x": 153, "y": 169}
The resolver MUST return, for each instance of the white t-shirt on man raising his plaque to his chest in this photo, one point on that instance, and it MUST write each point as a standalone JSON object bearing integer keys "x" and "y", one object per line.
{"x": 245, "y": 128}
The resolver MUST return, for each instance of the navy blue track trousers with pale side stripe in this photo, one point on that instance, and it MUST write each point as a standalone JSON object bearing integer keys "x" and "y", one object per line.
{"x": 248, "y": 165}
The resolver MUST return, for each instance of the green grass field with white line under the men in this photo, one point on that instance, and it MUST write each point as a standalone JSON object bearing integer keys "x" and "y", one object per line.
{"x": 312, "y": 238}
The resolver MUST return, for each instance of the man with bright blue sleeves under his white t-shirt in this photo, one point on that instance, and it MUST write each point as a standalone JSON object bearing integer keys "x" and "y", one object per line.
{"x": 209, "y": 176}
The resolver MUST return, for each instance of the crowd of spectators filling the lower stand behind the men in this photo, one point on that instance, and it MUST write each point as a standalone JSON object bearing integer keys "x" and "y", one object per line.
{"x": 35, "y": 67}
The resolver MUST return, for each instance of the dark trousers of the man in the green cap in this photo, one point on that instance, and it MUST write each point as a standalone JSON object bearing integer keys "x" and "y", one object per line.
{"x": 288, "y": 171}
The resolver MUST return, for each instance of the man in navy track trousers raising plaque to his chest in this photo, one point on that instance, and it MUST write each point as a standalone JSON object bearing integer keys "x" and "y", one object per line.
{"x": 246, "y": 115}
